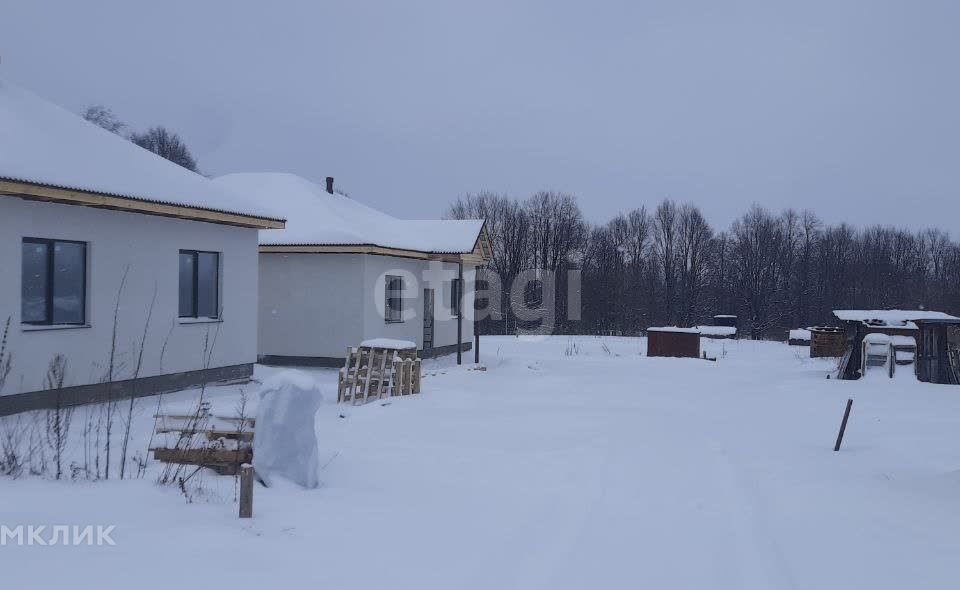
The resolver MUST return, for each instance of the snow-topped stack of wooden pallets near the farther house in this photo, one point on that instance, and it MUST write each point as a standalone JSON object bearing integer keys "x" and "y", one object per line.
{"x": 372, "y": 372}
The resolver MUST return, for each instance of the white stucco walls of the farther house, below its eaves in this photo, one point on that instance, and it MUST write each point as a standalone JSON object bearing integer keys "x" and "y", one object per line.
{"x": 316, "y": 305}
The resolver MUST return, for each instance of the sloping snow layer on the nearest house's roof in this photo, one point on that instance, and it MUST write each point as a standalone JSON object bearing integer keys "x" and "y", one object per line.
{"x": 42, "y": 143}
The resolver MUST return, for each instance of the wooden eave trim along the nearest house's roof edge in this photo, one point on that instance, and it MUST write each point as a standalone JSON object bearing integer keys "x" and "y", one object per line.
{"x": 39, "y": 192}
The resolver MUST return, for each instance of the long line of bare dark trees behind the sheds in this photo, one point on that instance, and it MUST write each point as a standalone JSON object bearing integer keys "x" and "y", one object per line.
{"x": 668, "y": 266}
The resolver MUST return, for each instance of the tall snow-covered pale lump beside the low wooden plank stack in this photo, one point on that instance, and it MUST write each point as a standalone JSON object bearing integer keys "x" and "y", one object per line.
{"x": 286, "y": 443}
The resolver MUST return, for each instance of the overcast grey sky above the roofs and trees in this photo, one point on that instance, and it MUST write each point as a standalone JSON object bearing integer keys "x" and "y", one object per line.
{"x": 849, "y": 108}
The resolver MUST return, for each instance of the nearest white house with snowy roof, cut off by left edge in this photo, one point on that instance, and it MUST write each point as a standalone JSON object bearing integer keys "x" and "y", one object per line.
{"x": 104, "y": 246}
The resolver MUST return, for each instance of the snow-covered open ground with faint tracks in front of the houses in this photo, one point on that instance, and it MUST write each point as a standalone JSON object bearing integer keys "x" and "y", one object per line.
{"x": 568, "y": 463}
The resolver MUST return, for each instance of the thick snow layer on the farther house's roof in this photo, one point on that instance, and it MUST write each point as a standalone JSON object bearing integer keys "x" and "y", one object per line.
{"x": 316, "y": 217}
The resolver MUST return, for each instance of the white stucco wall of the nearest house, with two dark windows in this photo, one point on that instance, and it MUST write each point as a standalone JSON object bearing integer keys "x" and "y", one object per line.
{"x": 149, "y": 247}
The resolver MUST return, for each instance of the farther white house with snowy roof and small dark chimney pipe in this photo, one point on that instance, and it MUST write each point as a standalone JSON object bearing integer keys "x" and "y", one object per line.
{"x": 342, "y": 272}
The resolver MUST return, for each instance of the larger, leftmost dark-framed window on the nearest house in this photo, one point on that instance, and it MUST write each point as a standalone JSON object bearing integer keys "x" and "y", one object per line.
{"x": 53, "y": 282}
